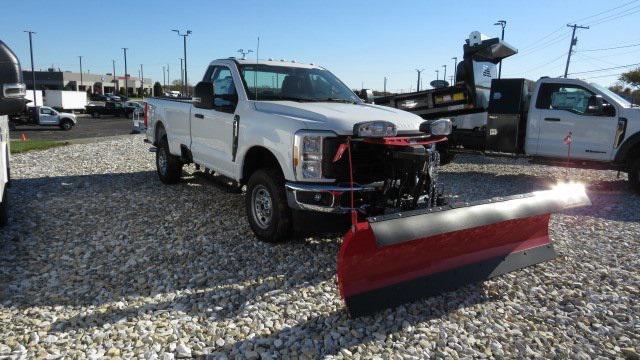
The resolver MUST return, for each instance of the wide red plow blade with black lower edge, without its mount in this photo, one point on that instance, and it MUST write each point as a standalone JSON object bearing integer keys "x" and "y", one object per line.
{"x": 388, "y": 260}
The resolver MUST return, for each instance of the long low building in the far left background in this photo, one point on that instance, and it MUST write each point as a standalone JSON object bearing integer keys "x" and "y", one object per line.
{"x": 91, "y": 83}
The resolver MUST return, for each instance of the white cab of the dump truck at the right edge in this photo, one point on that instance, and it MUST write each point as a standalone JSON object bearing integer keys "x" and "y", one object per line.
{"x": 597, "y": 120}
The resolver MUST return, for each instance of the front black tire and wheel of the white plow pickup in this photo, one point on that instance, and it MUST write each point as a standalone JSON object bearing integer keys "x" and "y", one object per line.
{"x": 270, "y": 225}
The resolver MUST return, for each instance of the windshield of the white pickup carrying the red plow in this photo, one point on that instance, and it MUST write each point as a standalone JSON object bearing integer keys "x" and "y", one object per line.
{"x": 267, "y": 82}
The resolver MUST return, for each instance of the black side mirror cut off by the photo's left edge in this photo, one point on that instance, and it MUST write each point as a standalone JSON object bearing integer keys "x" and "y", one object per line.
{"x": 12, "y": 89}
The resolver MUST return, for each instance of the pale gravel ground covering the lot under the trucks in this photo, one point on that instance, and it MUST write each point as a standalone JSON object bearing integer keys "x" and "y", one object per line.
{"x": 101, "y": 259}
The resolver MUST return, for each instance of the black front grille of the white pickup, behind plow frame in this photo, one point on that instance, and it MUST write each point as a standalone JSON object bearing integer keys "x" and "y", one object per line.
{"x": 368, "y": 162}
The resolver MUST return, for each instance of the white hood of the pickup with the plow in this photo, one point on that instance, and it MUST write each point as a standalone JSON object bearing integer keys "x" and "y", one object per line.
{"x": 339, "y": 117}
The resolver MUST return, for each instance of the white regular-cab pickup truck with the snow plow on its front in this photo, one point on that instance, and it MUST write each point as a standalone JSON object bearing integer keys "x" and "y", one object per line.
{"x": 278, "y": 127}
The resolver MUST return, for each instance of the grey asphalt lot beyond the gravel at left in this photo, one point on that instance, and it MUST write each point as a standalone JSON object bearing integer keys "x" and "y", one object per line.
{"x": 86, "y": 127}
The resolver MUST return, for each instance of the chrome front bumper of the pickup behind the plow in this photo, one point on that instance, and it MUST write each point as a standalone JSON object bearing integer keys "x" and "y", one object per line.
{"x": 323, "y": 197}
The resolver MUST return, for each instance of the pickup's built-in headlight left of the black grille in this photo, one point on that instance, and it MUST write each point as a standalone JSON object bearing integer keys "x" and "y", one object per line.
{"x": 307, "y": 154}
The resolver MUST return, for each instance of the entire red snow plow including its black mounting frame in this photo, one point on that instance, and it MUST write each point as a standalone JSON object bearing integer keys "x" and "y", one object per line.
{"x": 408, "y": 243}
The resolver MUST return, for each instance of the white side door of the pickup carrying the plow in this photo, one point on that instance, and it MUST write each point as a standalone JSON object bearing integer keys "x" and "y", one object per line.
{"x": 212, "y": 129}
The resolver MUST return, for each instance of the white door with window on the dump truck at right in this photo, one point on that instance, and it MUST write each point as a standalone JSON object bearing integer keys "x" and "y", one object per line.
{"x": 570, "y": 108}
